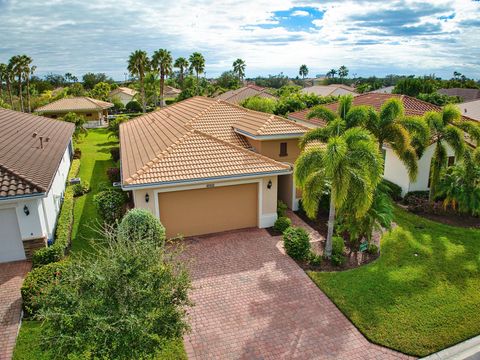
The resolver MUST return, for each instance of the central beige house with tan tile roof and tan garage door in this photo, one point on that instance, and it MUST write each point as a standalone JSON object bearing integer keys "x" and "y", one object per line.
{"x": 204, "y": 165}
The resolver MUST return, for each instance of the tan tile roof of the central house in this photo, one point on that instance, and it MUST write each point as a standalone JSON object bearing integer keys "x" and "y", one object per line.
{"x": 192, "y": 137}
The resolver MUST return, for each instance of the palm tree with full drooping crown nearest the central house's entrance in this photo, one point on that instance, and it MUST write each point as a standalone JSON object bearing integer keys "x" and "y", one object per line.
{"x": 348, "y": 162}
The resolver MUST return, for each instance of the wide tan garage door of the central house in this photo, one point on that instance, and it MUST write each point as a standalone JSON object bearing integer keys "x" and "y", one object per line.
{"x": 206, "y": 211}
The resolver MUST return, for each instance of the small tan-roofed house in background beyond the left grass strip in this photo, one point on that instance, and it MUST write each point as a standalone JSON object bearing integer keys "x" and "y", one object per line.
{"x": 94, "y": 111}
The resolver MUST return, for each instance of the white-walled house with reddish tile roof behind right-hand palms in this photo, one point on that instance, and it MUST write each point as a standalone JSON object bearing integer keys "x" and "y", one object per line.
{"x": 395, "y": 170}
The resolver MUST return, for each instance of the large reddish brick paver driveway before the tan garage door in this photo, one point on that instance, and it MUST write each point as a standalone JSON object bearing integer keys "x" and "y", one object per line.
{"x": 254, "y": 302}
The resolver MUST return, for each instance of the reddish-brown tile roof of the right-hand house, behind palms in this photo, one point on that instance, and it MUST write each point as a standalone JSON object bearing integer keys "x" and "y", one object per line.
{"x": 412, "y": 106}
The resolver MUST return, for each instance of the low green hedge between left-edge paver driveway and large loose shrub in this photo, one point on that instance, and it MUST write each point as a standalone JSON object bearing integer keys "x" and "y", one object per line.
{"x": 36, "y": 281}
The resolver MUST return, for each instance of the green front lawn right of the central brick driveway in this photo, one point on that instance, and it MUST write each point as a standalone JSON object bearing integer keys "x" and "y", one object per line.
{"x": 421, "y": 295}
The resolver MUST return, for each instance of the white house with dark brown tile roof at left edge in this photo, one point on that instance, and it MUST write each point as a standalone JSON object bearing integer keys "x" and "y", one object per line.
{"x": 35, "y": 155}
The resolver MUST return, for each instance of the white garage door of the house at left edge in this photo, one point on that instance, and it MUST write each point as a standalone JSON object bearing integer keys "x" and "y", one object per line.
{"x": 11, "y": 247}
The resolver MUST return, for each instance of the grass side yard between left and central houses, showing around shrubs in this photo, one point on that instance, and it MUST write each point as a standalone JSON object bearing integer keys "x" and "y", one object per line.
{"x": 94, "y": 162}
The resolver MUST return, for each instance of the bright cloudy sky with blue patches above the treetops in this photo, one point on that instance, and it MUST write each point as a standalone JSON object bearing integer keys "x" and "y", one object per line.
{"x": 370, "y": 37}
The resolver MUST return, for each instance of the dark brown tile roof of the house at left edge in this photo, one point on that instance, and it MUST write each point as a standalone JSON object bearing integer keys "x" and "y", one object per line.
{"x": 25, "y": 166}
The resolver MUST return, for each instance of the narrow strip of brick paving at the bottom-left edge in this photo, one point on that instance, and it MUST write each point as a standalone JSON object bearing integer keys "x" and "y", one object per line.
{"x": 11, "y": 279}
